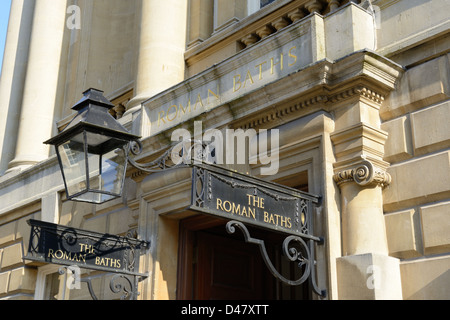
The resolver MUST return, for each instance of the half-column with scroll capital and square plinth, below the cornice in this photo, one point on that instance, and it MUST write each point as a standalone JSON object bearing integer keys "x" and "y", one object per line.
{"x": 365, "y": 271}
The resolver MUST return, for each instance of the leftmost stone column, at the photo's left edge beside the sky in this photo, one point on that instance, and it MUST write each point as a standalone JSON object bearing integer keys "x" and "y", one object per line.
{"x": 13, "y": 77}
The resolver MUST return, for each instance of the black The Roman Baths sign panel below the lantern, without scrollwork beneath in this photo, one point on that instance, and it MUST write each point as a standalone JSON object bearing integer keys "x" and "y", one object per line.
{"x": 51, "y": 243}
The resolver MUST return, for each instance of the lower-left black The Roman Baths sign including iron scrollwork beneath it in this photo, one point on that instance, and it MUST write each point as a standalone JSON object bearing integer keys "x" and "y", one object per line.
{"x": 76, "y": 248}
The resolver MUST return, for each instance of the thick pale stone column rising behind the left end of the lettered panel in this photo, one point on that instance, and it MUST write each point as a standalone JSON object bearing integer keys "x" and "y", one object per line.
{"x": 161, "y": 48}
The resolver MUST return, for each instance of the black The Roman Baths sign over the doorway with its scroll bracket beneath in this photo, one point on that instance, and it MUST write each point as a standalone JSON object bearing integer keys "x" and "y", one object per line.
{"x": 246, "y": 200}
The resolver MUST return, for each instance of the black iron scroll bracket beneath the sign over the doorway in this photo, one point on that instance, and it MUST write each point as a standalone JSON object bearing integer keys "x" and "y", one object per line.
{"x": 303, "y": 255}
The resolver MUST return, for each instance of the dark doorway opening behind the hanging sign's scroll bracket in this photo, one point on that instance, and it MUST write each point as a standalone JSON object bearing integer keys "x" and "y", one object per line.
{"x": 214, "y": 265}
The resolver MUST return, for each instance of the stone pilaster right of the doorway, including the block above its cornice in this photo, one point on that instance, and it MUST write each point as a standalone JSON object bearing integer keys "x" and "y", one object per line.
{"x": 365, "y": 270}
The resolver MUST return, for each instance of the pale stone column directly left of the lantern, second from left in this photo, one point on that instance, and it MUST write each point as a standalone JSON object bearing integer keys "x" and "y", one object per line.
{"x": 39, "y": 96}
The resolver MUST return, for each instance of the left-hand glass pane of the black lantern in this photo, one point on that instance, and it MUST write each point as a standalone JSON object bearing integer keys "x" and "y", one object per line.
{"x": 73, "y": 162}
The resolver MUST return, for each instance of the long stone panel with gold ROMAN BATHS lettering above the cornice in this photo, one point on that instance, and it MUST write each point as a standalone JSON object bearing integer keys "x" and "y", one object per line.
{"x": 251, "y": 69}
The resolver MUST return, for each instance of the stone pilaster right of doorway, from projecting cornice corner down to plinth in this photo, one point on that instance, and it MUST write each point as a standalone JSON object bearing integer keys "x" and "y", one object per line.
{"x": 365, "y": 270}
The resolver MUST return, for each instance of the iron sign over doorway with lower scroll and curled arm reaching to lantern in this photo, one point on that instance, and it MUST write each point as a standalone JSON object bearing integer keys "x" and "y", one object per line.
{"x": 298, "y": 247}
